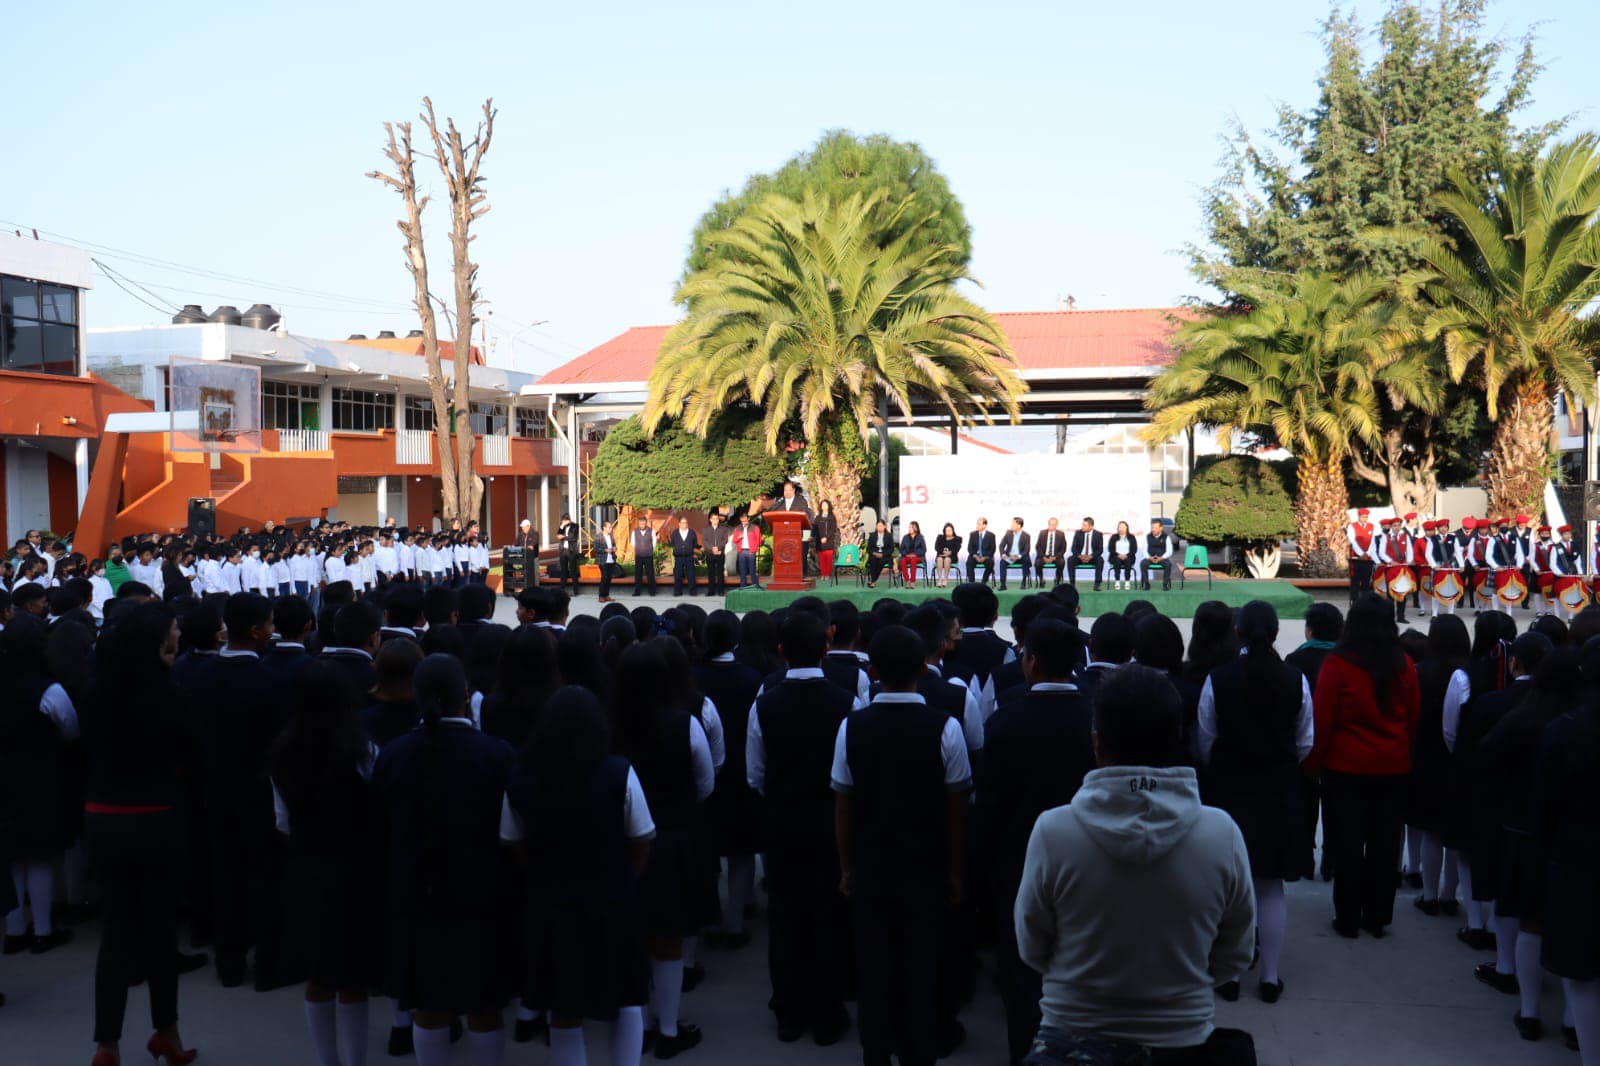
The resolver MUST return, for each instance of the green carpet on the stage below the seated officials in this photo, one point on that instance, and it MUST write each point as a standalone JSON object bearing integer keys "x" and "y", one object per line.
{"x": 1178, "y": 604}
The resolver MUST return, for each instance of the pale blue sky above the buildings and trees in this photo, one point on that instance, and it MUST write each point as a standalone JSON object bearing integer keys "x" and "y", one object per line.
{"x": 236, "y": 145}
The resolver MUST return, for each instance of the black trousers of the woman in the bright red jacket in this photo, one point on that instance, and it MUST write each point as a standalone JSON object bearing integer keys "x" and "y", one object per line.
{"x": 1364, "y": 830}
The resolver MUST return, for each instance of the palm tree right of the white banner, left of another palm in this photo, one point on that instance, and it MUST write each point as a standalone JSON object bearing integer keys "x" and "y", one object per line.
{"x": 1303, "y": 367}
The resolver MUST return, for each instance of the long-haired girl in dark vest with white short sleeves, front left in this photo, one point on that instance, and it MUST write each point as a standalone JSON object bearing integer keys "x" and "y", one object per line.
{"x": 578, "y": 817}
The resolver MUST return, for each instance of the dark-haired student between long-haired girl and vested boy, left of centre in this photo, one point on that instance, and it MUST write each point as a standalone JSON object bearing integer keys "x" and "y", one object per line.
{"x": 732, "y": 687}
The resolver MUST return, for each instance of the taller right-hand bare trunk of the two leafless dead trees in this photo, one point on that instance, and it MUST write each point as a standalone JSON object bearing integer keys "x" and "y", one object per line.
{"x": 460, "y": 162}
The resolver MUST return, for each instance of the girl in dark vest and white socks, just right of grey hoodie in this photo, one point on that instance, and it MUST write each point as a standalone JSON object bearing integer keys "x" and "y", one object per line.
{"x": 1255, "y": 727}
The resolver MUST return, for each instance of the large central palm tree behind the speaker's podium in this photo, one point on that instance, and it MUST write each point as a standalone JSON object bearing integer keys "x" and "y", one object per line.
{"x": 814, "y": 318}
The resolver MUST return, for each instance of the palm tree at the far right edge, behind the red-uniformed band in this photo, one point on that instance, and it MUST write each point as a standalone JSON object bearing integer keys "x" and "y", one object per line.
{"x": 1505, "y": 295}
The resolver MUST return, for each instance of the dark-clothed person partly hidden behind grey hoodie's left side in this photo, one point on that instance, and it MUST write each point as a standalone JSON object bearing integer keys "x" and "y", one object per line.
{"x": 1036, "y": 755}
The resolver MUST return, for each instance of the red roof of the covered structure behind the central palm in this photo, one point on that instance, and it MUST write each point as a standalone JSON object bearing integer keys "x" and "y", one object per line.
{"x": 1042, "y": 340}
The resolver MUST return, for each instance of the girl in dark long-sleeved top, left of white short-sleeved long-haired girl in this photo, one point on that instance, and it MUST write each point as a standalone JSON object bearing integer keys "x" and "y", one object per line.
{"x": 438, "y": 795}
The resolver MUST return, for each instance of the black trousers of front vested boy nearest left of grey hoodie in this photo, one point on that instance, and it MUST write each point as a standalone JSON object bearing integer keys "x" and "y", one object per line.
{"x": 898, "y": 944}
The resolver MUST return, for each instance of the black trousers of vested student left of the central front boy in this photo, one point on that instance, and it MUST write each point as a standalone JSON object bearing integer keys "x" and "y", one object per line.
{"x": 806, "y": 932}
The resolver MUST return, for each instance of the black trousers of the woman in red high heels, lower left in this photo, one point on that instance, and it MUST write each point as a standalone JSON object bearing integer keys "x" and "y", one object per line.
{"x": 140, "y": 862}
